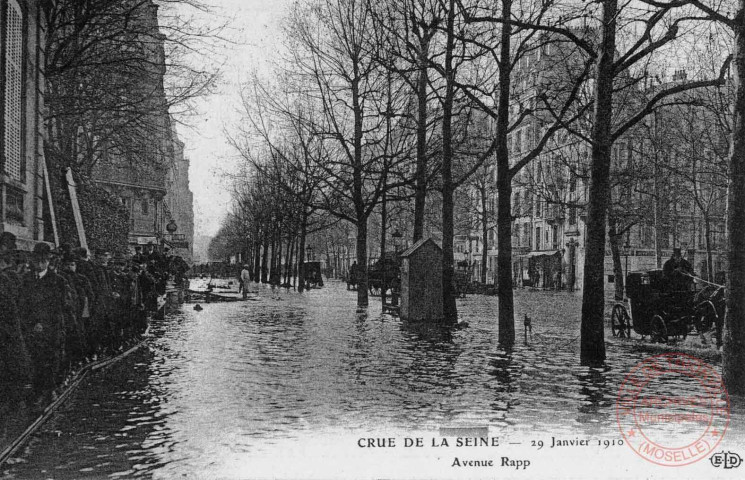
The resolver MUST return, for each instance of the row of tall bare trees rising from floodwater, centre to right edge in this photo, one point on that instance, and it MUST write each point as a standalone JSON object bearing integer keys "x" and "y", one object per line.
{"x": 399, "y": 101}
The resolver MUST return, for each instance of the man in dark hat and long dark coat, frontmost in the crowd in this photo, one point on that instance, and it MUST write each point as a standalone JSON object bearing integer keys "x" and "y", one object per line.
{"x": 43, "y": 301}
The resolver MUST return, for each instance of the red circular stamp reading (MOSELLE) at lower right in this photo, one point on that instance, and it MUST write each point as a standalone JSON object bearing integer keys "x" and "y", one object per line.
{"x": 673, "y": 409}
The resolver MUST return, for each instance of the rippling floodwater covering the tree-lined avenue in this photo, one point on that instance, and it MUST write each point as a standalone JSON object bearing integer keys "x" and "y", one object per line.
{"x": 231, "y": 384}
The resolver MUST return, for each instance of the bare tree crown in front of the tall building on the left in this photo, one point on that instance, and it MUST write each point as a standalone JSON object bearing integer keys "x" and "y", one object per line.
{"x": 113, "y": 71}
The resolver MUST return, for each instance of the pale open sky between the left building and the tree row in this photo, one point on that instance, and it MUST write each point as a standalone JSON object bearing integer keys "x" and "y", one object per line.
{"x": 254, "y": 31}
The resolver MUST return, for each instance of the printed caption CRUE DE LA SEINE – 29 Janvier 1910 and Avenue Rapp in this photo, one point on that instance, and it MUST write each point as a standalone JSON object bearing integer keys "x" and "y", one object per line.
{"x": 464, "y": 442}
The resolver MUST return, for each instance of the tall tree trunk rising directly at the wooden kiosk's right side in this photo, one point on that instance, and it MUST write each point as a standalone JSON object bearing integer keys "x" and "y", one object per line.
{"x": 450, "y": 311}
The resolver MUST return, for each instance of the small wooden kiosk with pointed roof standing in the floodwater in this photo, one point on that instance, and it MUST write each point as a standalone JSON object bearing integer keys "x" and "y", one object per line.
{"x": 421, "y": 282}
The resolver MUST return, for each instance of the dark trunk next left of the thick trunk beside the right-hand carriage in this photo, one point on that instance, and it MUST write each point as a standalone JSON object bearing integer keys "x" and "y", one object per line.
{"x": 504, "y": 192}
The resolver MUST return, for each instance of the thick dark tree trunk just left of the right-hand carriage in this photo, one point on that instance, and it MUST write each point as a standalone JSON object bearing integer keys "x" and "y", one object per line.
{"x": 592, "y": 343}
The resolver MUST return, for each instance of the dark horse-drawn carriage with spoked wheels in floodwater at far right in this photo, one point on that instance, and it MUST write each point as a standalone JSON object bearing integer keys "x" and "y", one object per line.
{"x": 661, "y": 308}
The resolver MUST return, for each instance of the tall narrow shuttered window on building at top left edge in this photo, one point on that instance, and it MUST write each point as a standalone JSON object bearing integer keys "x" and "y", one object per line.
{"x": 13, "y": 85}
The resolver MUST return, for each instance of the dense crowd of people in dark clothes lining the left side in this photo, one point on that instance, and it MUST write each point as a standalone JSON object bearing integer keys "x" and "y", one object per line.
{"x": 60, "y": 308}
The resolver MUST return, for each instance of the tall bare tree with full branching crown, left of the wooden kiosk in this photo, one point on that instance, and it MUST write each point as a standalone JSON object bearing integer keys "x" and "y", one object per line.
{"x": 334, "y": 64}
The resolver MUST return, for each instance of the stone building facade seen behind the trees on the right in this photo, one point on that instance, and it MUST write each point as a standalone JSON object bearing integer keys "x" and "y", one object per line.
{"x": 668, "y": 190}
